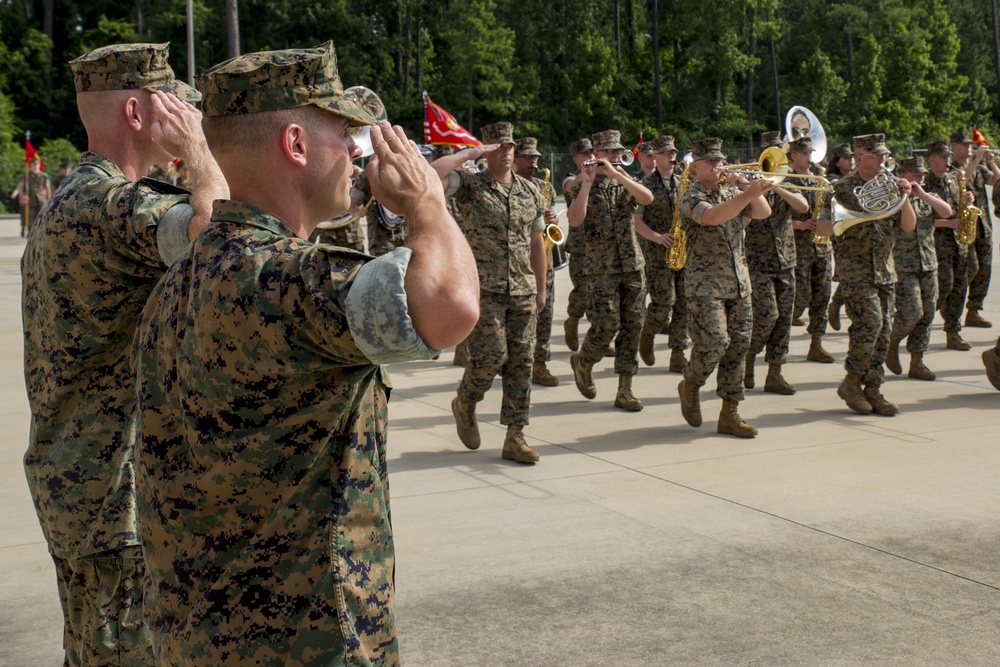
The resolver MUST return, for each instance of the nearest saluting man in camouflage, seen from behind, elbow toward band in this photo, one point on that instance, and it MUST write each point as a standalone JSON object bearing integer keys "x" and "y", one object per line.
{"x": 262, "y": 417}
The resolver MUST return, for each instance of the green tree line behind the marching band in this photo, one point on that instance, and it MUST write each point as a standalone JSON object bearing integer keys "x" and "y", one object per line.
{"x": 558, "y": 69}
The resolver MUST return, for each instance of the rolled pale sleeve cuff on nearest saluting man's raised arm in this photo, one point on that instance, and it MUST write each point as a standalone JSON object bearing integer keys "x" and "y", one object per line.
{"x": 377, "y": 313}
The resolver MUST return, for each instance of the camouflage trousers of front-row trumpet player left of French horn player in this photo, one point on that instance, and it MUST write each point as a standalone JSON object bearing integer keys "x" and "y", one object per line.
{"x": 720, "y": 336}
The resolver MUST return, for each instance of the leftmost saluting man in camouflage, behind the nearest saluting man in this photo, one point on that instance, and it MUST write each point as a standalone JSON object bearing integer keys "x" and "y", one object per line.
{"x": 92, "y": 259}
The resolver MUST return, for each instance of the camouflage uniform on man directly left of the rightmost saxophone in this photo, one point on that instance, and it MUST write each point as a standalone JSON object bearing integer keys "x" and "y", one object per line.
{"x": 952, "y": 256}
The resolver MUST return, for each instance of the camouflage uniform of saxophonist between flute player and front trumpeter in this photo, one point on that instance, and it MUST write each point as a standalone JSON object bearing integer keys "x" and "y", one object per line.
{"x": 665, "y": 286}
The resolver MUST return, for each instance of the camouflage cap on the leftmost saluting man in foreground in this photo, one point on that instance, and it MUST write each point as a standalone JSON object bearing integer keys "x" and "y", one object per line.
{"x": 129, "y": 67}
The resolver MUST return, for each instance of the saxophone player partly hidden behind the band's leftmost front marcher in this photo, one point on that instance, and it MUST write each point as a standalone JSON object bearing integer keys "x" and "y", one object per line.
{"x": 526, "y": 166}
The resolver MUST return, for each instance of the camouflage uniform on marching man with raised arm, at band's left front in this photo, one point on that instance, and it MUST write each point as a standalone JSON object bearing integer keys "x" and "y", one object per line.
{"x": 498, "y": 226}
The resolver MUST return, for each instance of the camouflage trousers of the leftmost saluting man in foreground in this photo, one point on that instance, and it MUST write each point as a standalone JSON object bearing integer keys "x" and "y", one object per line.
{"x": 101, "y": 598}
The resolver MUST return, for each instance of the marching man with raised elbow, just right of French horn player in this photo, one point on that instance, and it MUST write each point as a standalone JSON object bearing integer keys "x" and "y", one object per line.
{"x": 916, "y": 272}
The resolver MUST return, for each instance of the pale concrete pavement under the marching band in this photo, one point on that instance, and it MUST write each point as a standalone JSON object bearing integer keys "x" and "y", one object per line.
{"x": 830, "y": 539}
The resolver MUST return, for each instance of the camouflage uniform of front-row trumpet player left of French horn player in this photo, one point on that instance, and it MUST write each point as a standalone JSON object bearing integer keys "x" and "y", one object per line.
{"x": 718, "y": 290}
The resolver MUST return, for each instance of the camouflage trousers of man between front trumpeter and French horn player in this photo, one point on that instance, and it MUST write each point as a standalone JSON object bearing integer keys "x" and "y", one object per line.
{"x": 773, "y": 300}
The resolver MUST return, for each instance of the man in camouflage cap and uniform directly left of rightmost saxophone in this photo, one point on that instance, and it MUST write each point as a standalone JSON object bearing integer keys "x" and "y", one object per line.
{"x": 952, "y": 256}
